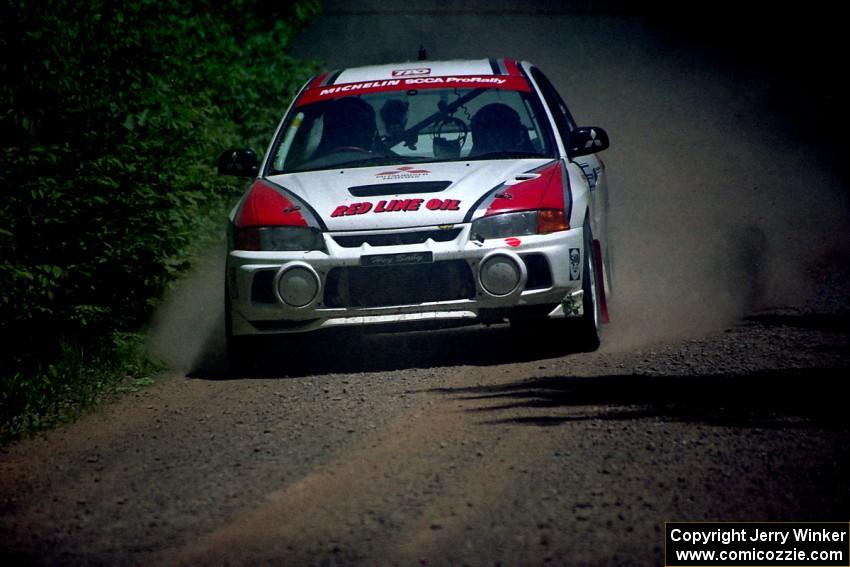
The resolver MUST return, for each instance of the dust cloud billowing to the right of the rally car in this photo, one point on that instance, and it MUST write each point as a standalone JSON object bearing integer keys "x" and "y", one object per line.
{"x": 720, "y": 206}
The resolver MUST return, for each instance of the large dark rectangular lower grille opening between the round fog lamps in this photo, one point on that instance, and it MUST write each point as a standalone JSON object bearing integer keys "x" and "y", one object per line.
{"x": 399, "y": 285}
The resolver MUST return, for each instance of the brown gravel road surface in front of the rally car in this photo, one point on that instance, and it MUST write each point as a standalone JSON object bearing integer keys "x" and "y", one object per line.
{"x": 412, "y": 456}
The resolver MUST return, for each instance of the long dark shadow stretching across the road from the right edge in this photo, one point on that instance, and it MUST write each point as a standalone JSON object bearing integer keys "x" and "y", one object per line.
{"x": 775, "y": 399}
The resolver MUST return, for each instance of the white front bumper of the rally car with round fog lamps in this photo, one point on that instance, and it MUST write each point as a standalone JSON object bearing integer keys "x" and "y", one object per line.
{"x": 449, "y": 283}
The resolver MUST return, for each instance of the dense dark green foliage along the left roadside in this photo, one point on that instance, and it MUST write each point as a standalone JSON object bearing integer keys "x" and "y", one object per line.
{"x": 111, "y": 118}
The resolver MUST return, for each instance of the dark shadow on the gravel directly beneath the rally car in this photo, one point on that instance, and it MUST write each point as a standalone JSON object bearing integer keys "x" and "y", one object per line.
{"x": 354, "y": 350}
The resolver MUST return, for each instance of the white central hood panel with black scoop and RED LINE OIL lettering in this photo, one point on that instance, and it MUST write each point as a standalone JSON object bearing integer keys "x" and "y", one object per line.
{"x": 402, "y": 196}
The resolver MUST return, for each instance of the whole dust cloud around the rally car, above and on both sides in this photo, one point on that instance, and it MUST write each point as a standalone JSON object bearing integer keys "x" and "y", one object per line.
{"x": 719, "y": 206}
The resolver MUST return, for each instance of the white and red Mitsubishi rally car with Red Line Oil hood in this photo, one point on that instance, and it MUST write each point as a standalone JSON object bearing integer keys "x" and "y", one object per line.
{"x": 421, "y": 191}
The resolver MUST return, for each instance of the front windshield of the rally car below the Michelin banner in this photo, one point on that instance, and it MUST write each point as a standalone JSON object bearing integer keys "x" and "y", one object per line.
{"x": 412, "y": 126}
